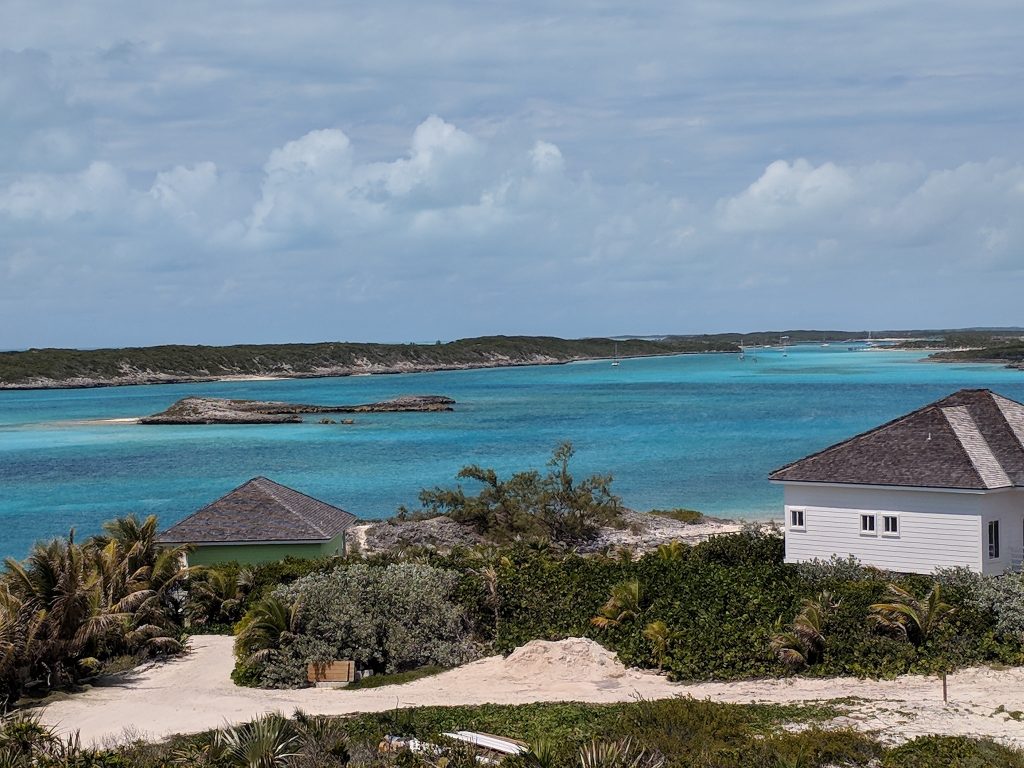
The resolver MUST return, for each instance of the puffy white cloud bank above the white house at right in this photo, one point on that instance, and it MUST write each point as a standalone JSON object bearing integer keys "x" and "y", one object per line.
{"x": 884, "y": 215}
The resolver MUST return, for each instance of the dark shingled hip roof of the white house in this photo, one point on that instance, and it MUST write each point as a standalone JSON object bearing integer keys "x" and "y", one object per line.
{"x": 972, "y": 440}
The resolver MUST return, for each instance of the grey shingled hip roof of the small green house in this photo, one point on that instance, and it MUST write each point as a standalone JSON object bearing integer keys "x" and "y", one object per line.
{"x": 261, "y": 510}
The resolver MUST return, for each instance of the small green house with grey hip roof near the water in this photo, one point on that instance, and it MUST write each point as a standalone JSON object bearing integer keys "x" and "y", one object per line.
{"x": 262, "y": 522}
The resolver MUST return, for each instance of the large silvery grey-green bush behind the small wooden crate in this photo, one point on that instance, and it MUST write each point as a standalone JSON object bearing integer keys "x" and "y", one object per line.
{"x": 390, "y": 619}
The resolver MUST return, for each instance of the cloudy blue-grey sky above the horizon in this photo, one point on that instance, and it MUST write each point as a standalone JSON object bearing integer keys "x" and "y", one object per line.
{"x": 245, "y": 173}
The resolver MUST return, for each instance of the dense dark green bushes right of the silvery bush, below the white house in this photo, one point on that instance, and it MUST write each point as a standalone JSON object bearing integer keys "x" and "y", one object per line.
{"x": 723, "y": 602}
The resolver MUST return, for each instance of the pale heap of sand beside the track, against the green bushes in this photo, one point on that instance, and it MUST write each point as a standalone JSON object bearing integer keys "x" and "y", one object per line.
{"x": 574, "y": 659}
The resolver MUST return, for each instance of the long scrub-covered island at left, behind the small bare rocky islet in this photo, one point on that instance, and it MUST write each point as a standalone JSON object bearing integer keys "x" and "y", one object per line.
{"x": 62, "y": 369}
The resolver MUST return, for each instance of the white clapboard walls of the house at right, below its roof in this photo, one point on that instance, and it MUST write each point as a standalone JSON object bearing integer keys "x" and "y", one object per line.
{"x": 937, "y": 530}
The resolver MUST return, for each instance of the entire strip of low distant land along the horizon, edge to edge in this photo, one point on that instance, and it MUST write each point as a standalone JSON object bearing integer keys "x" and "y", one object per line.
{"x": 65, "y": 369}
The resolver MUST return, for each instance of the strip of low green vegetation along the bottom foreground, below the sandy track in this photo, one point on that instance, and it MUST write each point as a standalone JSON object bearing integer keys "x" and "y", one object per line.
{"x": 672, "y": 734}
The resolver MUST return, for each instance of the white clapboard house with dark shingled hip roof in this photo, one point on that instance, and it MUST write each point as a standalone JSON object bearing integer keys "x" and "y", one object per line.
{"x": 938, "y": 488}
